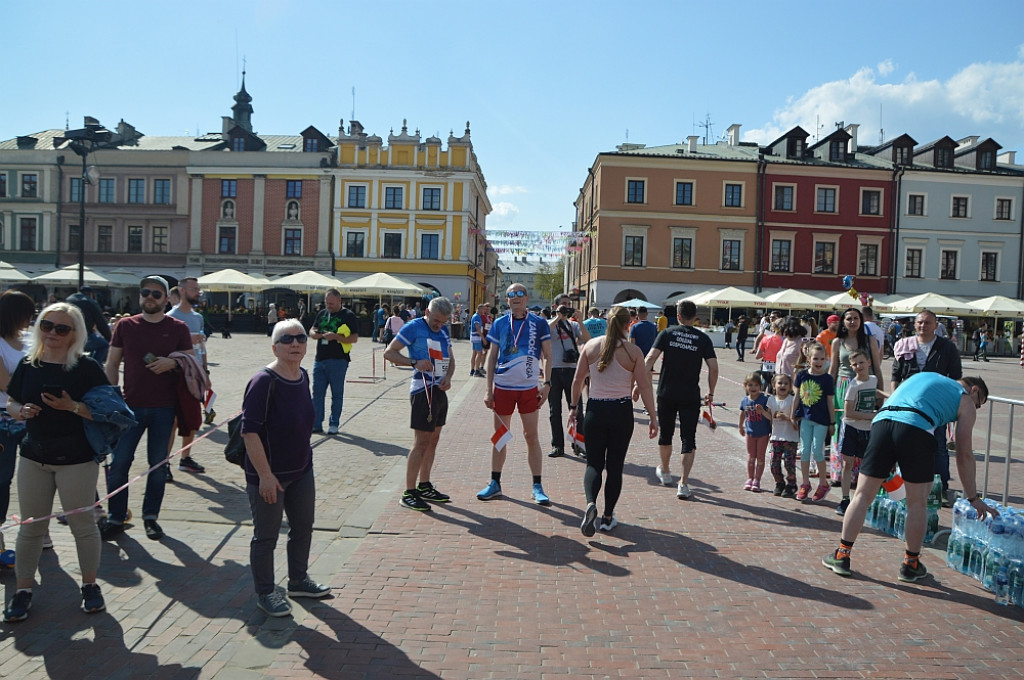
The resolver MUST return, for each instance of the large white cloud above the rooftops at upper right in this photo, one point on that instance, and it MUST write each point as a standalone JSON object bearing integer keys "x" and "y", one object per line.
{"x": 982, "y": 99}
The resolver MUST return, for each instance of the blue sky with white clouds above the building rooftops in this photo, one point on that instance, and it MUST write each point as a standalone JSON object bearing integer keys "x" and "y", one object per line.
{"x": 546, "y": 87}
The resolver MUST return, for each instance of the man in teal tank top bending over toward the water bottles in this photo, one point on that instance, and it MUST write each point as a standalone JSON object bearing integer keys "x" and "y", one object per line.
{"x": 902, "y": 433}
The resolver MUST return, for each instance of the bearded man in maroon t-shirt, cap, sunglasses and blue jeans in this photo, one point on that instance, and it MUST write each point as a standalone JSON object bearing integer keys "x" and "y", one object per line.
{"x": 144, "y": 344}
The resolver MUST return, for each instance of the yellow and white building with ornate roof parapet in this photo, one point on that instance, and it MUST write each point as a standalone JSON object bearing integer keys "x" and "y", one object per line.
{"x": 412, "y": 209}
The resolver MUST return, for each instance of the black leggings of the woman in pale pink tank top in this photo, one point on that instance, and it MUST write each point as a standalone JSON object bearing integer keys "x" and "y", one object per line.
{"x": 608, "y": 430}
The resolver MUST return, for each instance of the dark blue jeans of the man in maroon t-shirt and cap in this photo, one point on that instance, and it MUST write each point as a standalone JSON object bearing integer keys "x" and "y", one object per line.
{"x": 159, "y": 423}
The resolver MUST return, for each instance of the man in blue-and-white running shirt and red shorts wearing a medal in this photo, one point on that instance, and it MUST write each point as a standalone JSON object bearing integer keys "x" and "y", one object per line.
{"x": 520, "y": 342}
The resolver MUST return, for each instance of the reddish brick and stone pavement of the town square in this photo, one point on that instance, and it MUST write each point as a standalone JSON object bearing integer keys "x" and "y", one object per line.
{"x": 728, "y": 585}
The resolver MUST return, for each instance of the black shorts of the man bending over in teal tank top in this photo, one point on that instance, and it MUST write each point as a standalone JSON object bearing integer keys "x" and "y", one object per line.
{"x": 893, "y": 443}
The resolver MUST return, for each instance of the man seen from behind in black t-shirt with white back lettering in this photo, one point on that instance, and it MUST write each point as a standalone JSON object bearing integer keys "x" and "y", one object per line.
{"x": 686, "y": 350}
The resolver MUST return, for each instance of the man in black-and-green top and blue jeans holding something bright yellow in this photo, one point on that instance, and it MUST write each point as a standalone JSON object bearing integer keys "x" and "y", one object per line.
{"x": 335, "y": 329}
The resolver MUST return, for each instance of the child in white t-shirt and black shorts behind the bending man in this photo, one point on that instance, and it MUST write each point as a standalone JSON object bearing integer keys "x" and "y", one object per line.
{"x": 861, "y": 405}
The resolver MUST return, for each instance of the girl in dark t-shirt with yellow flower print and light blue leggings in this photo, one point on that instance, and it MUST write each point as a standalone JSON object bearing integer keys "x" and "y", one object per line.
{"x": 814, "y": 409}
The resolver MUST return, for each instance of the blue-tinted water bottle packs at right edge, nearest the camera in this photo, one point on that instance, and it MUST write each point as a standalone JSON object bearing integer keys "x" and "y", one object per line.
{"x": 992, "y": 551}
